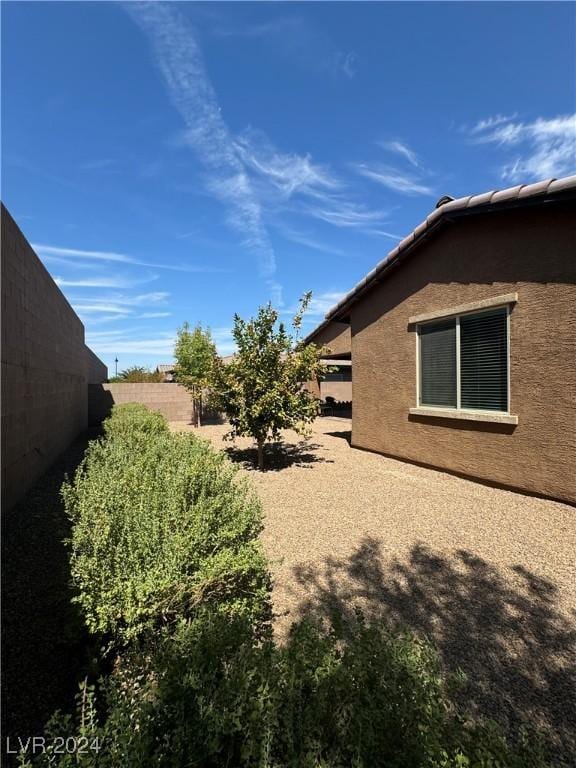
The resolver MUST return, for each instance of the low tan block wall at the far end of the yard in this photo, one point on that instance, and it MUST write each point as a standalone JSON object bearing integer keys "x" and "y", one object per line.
{"x": 171, "y": 400}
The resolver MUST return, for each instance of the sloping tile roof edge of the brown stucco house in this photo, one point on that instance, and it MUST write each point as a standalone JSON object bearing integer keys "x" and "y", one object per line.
{"x": 448, "y": 209}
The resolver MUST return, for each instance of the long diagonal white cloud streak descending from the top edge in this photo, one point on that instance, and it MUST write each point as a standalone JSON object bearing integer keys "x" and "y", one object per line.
{"x": 180, "y": 60}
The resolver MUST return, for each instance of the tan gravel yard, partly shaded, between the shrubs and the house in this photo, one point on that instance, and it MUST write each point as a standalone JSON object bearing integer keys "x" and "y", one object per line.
{"x": 488, "y": 574}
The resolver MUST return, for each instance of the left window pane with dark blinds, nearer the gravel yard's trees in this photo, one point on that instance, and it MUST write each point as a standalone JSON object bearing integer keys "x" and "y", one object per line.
{"x": 438, "y": 364}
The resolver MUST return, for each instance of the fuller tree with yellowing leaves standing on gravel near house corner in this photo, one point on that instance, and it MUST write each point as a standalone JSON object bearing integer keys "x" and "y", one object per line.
{"x": 261, "y": 389}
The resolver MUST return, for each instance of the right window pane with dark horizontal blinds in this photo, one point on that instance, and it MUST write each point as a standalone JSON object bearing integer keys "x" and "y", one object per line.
{"x": 484, "y": 361}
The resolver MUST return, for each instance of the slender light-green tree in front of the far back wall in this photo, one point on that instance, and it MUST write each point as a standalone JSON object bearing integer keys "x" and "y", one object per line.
{"x": 195, "y": 354}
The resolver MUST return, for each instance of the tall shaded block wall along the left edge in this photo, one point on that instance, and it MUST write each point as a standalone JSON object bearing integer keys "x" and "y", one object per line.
{"x": 44, "y": 394}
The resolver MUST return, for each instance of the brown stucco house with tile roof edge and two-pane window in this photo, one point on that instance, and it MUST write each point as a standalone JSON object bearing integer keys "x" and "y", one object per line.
{"x": 463, "y": 341}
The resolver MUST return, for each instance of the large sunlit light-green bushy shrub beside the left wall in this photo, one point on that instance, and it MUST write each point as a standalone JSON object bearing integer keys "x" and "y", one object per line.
{"x": 160, "y": 527}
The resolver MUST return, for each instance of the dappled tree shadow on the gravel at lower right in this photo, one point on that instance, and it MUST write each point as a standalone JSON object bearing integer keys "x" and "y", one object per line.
{"x": 502, "y": 627}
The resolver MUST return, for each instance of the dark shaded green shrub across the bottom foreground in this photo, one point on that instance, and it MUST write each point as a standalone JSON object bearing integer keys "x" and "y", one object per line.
{"x": 211, "y": 694}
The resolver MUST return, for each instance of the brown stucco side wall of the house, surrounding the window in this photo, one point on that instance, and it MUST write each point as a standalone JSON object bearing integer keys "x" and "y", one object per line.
{"x": 528, "y": 251}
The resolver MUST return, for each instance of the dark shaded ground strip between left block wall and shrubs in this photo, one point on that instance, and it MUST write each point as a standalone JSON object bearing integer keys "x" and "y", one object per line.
{"x": 44, "y": 643}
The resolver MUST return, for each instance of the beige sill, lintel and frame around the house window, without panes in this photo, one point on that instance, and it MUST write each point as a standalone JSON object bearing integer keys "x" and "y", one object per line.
{"x": 485, "y": 305}
